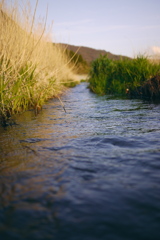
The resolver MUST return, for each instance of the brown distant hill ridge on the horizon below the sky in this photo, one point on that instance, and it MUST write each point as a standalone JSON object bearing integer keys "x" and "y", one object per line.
{"x": 90, "y": 54}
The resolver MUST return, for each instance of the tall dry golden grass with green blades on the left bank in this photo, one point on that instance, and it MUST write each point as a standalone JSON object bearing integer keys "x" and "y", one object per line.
{"x": 32, "y": 69}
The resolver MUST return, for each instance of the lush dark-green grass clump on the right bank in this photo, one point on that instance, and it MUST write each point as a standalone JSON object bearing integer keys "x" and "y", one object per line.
{"x": 121, "y": 76}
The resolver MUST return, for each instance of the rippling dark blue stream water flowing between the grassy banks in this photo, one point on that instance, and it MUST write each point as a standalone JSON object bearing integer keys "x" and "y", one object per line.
{"x": 91, "y": 173}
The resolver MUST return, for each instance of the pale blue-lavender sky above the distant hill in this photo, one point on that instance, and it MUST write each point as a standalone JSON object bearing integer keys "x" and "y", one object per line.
{"x": 126, "y": 27}
